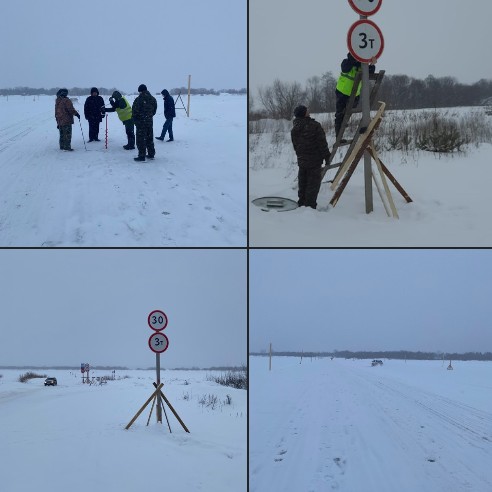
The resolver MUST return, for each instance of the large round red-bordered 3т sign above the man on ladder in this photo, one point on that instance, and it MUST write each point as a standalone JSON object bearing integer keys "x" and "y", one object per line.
{"x": 365, "y": 40}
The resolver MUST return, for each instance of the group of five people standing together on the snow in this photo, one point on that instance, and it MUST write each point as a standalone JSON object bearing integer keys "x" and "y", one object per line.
{"x": 139, "y": 115}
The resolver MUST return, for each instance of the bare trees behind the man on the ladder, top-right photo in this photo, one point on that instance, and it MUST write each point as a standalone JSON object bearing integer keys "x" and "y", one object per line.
{"x": 397, "y": 91}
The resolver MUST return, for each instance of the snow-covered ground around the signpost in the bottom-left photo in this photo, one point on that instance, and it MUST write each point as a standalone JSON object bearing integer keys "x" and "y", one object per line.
{"x": 73, "y": 437}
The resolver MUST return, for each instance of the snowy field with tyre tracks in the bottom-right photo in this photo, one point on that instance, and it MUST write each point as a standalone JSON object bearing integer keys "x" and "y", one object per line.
{"x": 344, "y": 425}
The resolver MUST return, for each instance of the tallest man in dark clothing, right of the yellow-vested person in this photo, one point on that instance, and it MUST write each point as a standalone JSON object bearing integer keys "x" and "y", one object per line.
{"x": 143, "y": 110}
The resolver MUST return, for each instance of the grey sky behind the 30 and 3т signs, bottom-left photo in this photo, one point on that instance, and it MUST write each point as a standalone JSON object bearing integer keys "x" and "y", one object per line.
{"x": 65, "y": 307}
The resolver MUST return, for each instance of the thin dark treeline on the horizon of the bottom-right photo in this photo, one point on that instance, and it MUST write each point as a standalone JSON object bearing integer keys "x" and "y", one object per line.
{"x": 347, "y": 354}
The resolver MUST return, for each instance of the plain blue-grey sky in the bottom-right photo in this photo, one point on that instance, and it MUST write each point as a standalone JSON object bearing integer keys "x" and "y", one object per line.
{"x": 323, "y": 300}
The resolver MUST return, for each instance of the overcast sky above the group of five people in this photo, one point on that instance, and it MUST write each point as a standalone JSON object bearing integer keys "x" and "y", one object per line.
{"x": 123, "y": 43}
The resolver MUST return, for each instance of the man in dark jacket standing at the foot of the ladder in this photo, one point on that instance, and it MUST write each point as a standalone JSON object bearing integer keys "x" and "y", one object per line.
{"x": 309, "y": 140}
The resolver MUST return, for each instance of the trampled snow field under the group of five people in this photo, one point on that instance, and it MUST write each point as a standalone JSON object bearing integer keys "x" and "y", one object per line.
{"x": 192, "y": 194}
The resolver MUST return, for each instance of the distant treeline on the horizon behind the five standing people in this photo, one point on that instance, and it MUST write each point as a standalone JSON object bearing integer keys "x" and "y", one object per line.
{"x": 84, "y": 91}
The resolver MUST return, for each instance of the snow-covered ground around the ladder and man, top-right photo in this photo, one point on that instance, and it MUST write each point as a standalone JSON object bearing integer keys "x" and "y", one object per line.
{"x": 450, "y": 194}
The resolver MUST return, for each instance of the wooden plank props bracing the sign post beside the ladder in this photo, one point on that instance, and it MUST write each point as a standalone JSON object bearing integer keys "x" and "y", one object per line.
{"x": 361, "y": 145}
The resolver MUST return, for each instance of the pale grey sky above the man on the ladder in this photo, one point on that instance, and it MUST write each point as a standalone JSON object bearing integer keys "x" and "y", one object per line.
{"x": 293, "y": 41}
